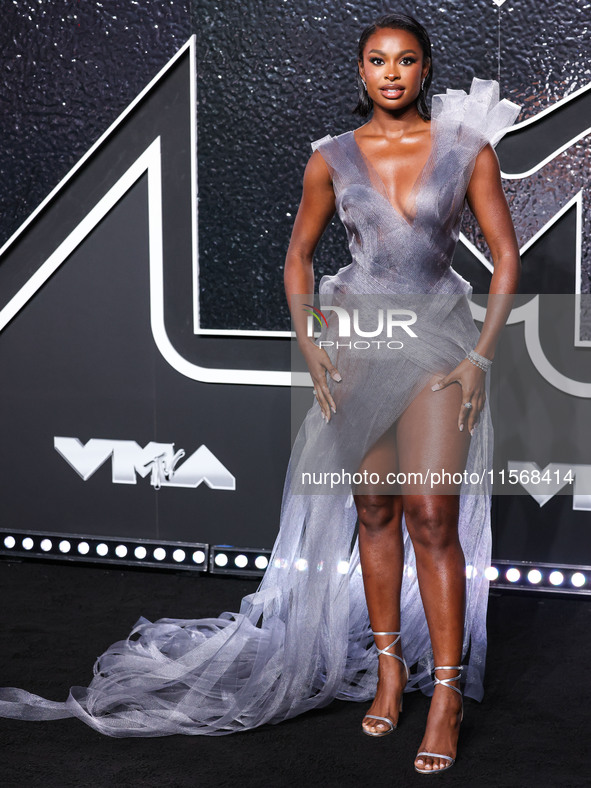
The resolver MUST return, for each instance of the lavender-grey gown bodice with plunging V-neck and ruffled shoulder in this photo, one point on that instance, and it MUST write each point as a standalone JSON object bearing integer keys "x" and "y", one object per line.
{"x": 413, "y": 253}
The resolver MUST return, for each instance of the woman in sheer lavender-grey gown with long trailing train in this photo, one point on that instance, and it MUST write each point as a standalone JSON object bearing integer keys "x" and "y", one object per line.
{"x": 304, "y": 637}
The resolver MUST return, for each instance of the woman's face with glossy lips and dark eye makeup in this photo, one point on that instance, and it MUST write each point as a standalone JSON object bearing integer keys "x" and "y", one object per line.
{"x": 393, "y": 68}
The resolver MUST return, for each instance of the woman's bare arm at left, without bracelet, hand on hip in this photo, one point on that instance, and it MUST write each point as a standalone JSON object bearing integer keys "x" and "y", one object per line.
{"x": 315, "y": 211}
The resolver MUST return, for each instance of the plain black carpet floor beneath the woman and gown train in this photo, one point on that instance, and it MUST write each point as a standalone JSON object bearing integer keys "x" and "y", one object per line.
{"x": 530, "y": 729}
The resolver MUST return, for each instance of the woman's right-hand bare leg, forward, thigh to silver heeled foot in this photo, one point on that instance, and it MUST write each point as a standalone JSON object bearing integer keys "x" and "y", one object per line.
{"x": 427, "y": 437}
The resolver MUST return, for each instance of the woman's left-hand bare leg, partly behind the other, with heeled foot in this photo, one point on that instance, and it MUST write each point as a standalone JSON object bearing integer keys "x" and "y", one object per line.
{"x": 381, "y": 551}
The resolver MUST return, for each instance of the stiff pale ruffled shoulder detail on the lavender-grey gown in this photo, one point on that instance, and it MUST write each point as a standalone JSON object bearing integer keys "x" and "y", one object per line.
{"x": 480, "y": 111}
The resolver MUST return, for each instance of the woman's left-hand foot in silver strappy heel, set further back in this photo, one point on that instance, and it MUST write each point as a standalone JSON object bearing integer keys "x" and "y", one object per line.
{"x": 392, "y": 678}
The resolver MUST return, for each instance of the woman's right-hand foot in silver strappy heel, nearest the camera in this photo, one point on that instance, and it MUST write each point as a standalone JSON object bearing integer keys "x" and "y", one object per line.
{"x": 443, "y": 725}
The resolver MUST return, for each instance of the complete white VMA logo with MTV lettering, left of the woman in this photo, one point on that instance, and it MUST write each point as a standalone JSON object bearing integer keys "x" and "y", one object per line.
{"x": 159, "y": 460}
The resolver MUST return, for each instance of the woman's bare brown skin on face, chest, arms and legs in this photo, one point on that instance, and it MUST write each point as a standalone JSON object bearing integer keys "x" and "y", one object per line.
{"x": 430, "y": 432}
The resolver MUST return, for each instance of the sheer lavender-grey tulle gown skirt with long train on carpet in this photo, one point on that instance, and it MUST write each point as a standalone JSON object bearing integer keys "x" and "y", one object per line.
{"x": 303, "y": 638}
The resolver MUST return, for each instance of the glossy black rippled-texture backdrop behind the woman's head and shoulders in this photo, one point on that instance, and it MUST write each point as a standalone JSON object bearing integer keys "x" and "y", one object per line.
{"x": 271, "y": 78}
